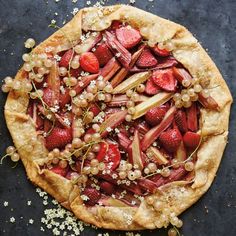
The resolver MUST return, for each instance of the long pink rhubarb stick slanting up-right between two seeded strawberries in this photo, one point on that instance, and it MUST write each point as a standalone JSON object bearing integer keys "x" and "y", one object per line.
{"x": 154, "y": 133}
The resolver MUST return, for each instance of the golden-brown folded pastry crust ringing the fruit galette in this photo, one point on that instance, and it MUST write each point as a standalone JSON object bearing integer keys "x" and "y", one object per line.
{"x": 177, "y": 196}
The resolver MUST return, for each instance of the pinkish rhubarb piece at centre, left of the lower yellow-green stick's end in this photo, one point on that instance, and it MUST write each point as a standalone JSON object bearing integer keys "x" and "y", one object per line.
{"x": 113, "y": 121}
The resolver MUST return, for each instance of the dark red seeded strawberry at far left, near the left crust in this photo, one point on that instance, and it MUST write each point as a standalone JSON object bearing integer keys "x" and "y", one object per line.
{"x": 58, "y": 138}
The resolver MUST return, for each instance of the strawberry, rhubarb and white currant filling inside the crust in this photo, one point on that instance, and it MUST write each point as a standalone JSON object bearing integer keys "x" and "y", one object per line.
{"x": 119, "y": 118}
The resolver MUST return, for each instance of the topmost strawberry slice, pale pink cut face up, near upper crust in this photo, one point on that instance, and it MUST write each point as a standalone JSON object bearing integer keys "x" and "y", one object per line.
{"x": 128, "y": 36}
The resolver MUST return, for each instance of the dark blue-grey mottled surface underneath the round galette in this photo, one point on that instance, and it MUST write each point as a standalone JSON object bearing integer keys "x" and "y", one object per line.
{"x": 213, "y": 22}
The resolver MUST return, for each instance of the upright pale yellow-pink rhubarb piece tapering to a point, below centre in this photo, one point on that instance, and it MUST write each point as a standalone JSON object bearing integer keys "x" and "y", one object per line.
{"x": 134, "y": 152}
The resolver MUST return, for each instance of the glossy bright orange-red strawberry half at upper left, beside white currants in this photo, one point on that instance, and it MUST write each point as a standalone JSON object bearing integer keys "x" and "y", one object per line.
{"x": 89, "y": 62}
